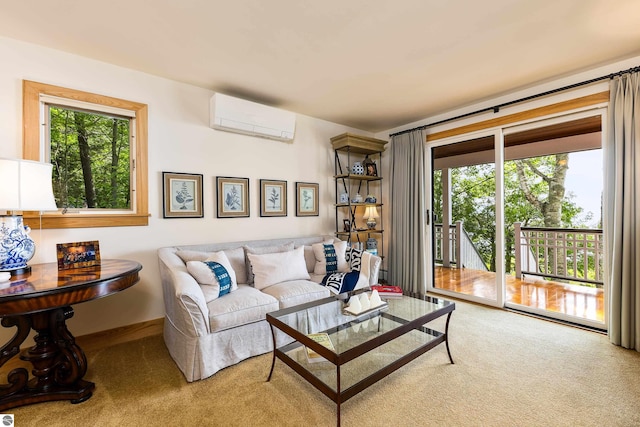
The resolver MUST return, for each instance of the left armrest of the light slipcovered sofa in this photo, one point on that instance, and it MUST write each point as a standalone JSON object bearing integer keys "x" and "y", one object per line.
{"x": 185, "y": 306}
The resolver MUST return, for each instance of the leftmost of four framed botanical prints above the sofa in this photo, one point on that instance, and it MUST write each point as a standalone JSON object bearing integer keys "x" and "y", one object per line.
{"x": 182, "y": 195}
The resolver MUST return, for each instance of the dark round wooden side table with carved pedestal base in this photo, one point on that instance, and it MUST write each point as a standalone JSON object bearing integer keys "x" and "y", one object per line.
{"x": 41, "y": 301}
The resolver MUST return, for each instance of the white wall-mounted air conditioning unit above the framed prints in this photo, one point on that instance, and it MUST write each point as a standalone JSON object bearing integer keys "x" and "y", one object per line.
{"x": 238, "y": 115}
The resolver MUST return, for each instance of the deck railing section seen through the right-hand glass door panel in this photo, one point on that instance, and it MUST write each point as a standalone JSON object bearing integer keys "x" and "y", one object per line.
{"x": 573, "y": 254}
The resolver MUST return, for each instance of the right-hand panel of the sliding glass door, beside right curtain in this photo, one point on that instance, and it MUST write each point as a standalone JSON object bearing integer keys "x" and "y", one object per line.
{"x": 553, "y": 219}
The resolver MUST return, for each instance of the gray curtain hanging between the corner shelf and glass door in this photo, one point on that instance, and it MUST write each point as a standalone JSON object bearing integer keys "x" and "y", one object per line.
{"x": 407, "y": 259}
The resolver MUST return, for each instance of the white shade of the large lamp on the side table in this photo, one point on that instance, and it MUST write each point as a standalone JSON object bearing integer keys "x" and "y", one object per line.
{"x": 26, "y": 186}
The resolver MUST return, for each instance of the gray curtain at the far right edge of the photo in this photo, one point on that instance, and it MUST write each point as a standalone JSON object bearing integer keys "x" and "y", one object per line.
{"x": 622, "y": 201}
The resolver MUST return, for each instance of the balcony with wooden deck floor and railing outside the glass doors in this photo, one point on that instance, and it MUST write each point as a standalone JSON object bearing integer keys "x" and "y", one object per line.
{"x": 550, "y": 270}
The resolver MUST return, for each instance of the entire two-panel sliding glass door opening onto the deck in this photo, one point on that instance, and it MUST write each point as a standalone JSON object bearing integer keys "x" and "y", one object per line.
{"x": 516, "y": 218}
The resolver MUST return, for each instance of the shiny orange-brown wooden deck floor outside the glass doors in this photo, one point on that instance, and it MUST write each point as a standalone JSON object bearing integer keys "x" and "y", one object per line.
{"x": 580, "y": 301}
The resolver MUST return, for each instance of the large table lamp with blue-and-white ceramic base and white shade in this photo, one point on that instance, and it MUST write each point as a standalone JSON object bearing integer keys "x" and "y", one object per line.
{"x": 25, "y": 186}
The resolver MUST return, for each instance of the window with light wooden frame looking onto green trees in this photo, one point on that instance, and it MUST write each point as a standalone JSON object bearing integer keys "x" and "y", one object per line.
{"x": 98, "y": 147}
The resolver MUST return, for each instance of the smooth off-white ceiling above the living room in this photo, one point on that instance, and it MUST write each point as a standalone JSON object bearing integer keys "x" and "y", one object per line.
{"x": 370, "y": 64}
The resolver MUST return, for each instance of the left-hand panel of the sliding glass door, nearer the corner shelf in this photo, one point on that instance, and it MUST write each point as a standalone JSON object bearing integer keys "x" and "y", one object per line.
{"x": 465, "y": 228}
